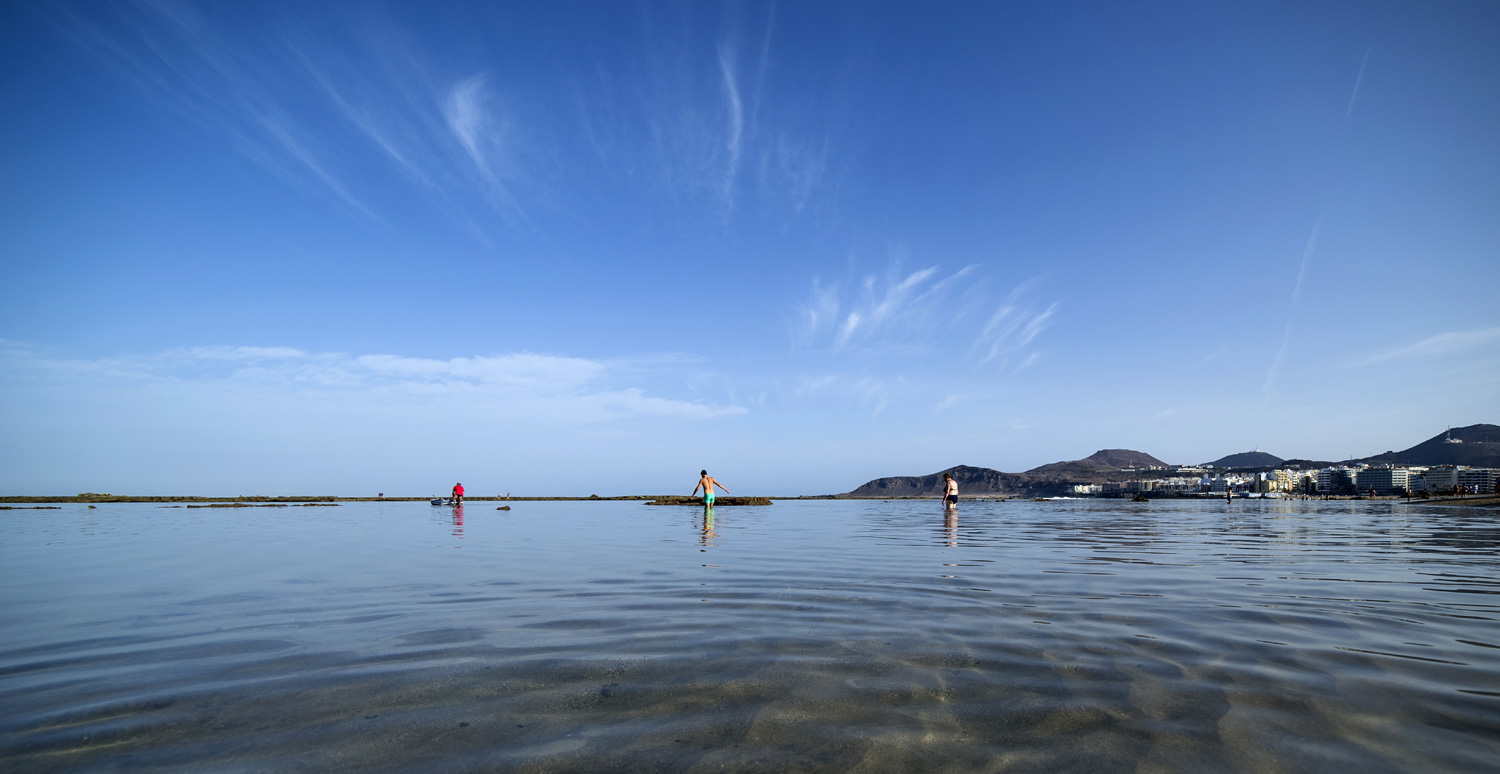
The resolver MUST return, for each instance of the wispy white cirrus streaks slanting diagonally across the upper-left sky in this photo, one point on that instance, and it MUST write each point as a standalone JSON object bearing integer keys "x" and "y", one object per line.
{"x": 316, "y": 107}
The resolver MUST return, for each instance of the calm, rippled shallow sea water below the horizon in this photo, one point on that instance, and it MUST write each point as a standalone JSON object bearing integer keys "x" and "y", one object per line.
{"x": 802, "y": 637}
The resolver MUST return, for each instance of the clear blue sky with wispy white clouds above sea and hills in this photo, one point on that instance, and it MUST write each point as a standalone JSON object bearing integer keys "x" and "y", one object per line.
{"x": 592, "y": 248}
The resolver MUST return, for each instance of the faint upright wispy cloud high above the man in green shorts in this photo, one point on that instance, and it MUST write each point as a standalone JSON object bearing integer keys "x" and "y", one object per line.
{"x": 707, "y": 127}
